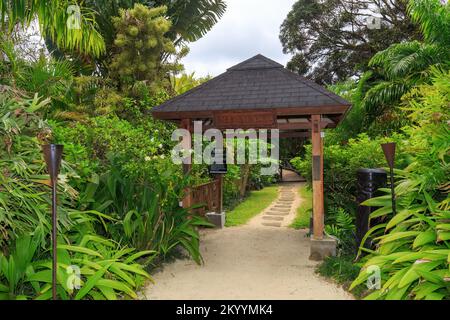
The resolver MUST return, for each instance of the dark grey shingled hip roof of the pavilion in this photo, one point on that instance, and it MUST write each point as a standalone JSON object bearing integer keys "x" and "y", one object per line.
{"x": 257, "y": 83}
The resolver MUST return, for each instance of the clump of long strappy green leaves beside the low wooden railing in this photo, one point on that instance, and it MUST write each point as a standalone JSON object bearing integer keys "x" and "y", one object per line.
{"x": 147, "y": 209}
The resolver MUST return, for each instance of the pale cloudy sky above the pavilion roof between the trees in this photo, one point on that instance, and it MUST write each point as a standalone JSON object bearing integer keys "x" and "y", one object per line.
{"x": 247, "y": 28}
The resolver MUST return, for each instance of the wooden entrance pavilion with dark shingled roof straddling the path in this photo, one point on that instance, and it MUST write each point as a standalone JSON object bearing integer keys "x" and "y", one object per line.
{"x": 260, "y": 93}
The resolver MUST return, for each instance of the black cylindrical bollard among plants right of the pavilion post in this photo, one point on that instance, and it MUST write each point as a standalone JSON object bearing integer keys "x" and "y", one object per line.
{"x": 369, "y": 181}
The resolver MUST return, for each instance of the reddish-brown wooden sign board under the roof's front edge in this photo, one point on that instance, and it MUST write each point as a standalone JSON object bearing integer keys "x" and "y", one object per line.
{"x": 245, "y": 120}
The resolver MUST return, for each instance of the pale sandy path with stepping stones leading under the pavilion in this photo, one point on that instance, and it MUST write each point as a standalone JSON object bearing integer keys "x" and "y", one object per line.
{"x": 261, "y": 260}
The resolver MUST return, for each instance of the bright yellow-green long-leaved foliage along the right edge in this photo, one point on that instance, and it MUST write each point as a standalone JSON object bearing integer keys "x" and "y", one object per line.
{"x": 412, "y": 247}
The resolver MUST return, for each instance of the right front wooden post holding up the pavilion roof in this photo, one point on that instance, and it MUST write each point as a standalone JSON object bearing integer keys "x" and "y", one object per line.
{"x": 317, "y": 167}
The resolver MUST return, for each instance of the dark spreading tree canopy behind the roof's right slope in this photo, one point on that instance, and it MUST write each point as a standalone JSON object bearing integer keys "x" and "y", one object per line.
{"x": 332, "y": 40}
